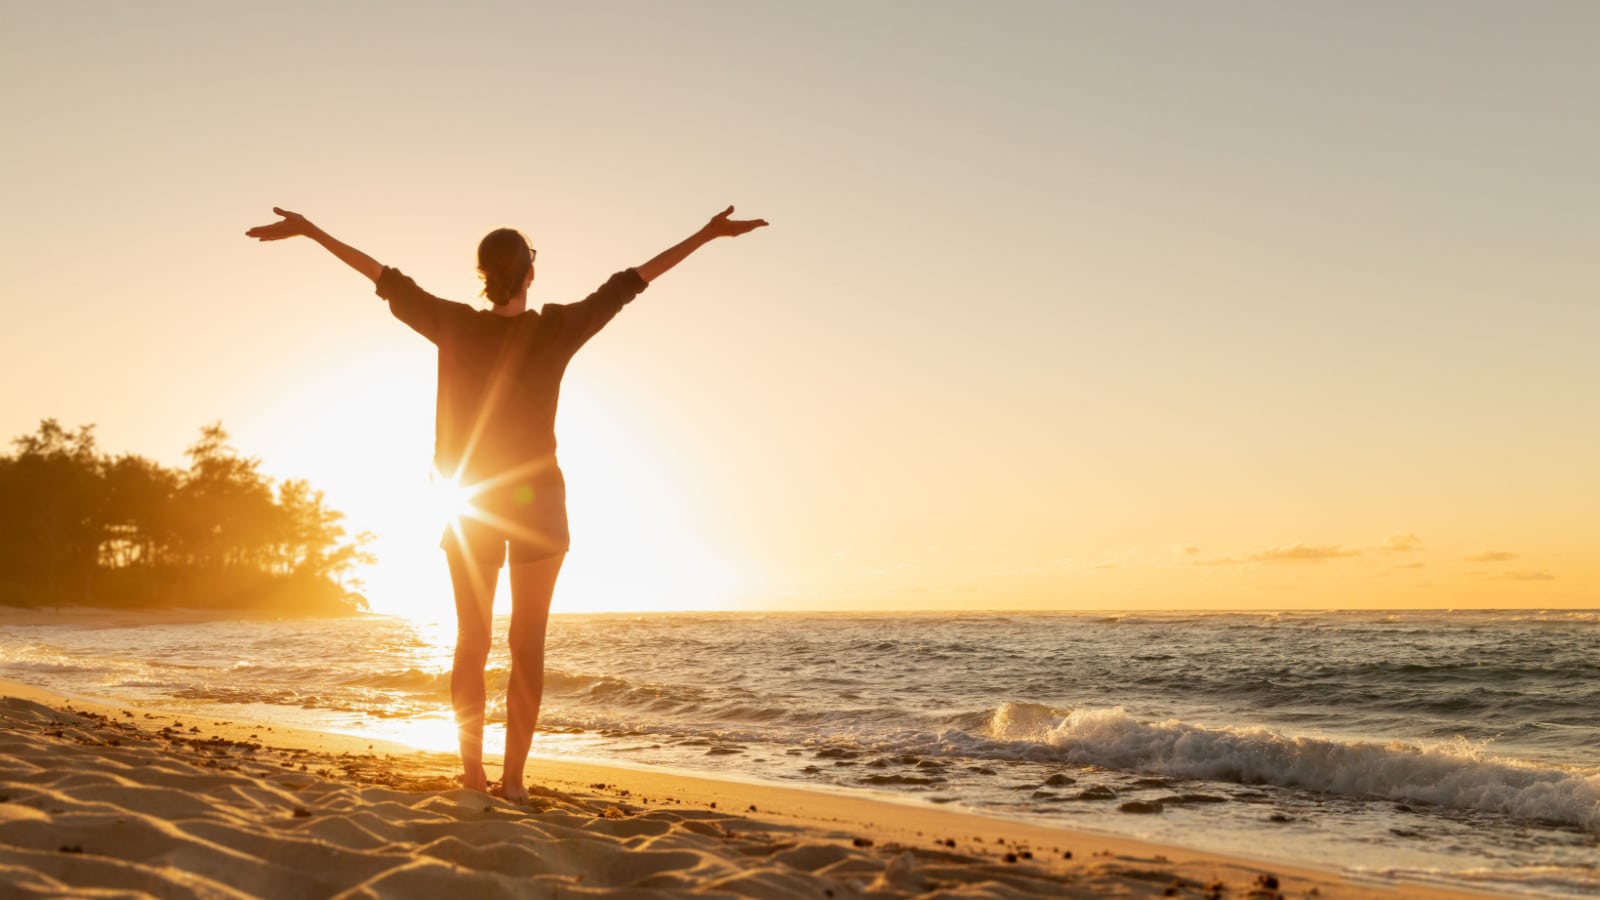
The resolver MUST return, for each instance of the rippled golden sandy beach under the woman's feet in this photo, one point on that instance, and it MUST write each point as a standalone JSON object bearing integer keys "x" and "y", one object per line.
{"x": 105, "y": 800}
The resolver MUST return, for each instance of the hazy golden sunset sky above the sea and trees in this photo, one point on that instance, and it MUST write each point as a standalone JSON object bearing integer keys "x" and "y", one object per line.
{"x": 1063, "y": 305}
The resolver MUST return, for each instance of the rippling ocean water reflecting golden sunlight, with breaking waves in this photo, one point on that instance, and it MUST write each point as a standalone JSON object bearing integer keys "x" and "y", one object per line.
{"x": 1452, "y": 747}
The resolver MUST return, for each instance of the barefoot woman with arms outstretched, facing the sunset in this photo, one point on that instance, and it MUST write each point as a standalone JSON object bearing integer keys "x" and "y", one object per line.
{"x": 500, "y": 379}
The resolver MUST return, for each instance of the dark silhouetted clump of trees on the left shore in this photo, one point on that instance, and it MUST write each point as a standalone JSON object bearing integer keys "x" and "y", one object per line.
{"x": 87, "y": 529}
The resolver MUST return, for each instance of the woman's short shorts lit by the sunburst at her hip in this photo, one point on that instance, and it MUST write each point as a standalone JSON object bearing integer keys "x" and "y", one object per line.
{"x": 522, "y": 523}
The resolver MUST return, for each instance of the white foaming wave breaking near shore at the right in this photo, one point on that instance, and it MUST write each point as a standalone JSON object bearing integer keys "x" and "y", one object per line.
{"x": 1452, "y": 774}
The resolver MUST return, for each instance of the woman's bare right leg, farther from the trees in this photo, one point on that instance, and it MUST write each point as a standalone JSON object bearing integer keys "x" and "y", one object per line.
{"x": 532, "y": 585}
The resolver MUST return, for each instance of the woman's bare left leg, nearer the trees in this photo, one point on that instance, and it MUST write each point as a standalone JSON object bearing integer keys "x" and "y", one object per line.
{"x": 474, "y": 590}
